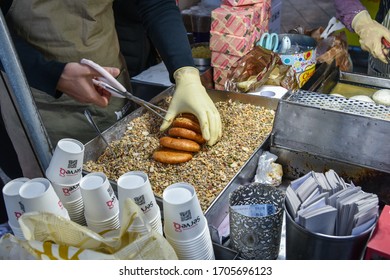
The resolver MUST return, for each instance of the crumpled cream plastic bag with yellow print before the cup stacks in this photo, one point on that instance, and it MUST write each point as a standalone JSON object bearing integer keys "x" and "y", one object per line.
{"x": 52, "y": 237}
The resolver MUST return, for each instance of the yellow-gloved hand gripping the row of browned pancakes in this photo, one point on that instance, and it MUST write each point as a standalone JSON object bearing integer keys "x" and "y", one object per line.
{"x": 191, "y": 97}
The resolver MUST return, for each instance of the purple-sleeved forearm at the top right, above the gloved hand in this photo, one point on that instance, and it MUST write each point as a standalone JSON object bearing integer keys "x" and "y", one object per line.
{"x": 346, "y": 10}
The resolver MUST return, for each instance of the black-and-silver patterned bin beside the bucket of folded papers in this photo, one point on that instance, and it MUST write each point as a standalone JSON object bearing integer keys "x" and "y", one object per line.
{"x": 256, "y": 237}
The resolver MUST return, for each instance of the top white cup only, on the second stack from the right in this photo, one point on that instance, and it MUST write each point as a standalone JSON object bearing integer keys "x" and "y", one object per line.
{"x": 136, "y": 185}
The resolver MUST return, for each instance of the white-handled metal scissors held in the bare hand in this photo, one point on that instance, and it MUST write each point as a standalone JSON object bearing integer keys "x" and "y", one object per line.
{"x": 109, "y": 83}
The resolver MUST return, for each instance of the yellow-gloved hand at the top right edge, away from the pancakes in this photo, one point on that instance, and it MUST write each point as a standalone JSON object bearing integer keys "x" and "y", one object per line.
{"x": 370, "y": 35}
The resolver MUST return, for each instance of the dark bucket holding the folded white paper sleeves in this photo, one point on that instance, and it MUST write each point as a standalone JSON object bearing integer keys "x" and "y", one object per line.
{"x": 302, "y": 244}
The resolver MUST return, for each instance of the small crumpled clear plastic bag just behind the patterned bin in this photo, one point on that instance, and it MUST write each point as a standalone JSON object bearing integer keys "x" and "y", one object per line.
{"x": 268, "y": 172}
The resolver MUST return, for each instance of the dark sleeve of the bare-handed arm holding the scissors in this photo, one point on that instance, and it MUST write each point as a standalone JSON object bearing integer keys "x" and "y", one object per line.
{"x": 41, "y": 73}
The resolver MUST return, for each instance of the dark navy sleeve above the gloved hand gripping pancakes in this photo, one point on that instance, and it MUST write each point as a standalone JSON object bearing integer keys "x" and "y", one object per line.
{"x": 164, "y": 25}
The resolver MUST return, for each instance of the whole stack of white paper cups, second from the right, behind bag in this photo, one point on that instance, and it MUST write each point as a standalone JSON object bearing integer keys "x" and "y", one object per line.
{"x": 136, "y": 185}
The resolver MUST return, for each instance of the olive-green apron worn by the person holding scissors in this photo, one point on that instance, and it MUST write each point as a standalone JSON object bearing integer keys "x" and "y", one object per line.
{"x": 67, "y": 31}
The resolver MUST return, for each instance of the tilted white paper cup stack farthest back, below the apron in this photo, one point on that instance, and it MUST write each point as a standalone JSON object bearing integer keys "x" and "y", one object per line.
{"x": 65, "y": 173}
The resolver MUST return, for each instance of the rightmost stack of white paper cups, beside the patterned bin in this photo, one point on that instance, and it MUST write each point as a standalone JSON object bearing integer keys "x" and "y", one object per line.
{"x": 185, "y": 226}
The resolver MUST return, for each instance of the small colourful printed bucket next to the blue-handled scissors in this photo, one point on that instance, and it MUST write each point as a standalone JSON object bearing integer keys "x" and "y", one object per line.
{"x": 303, "y": 62}
